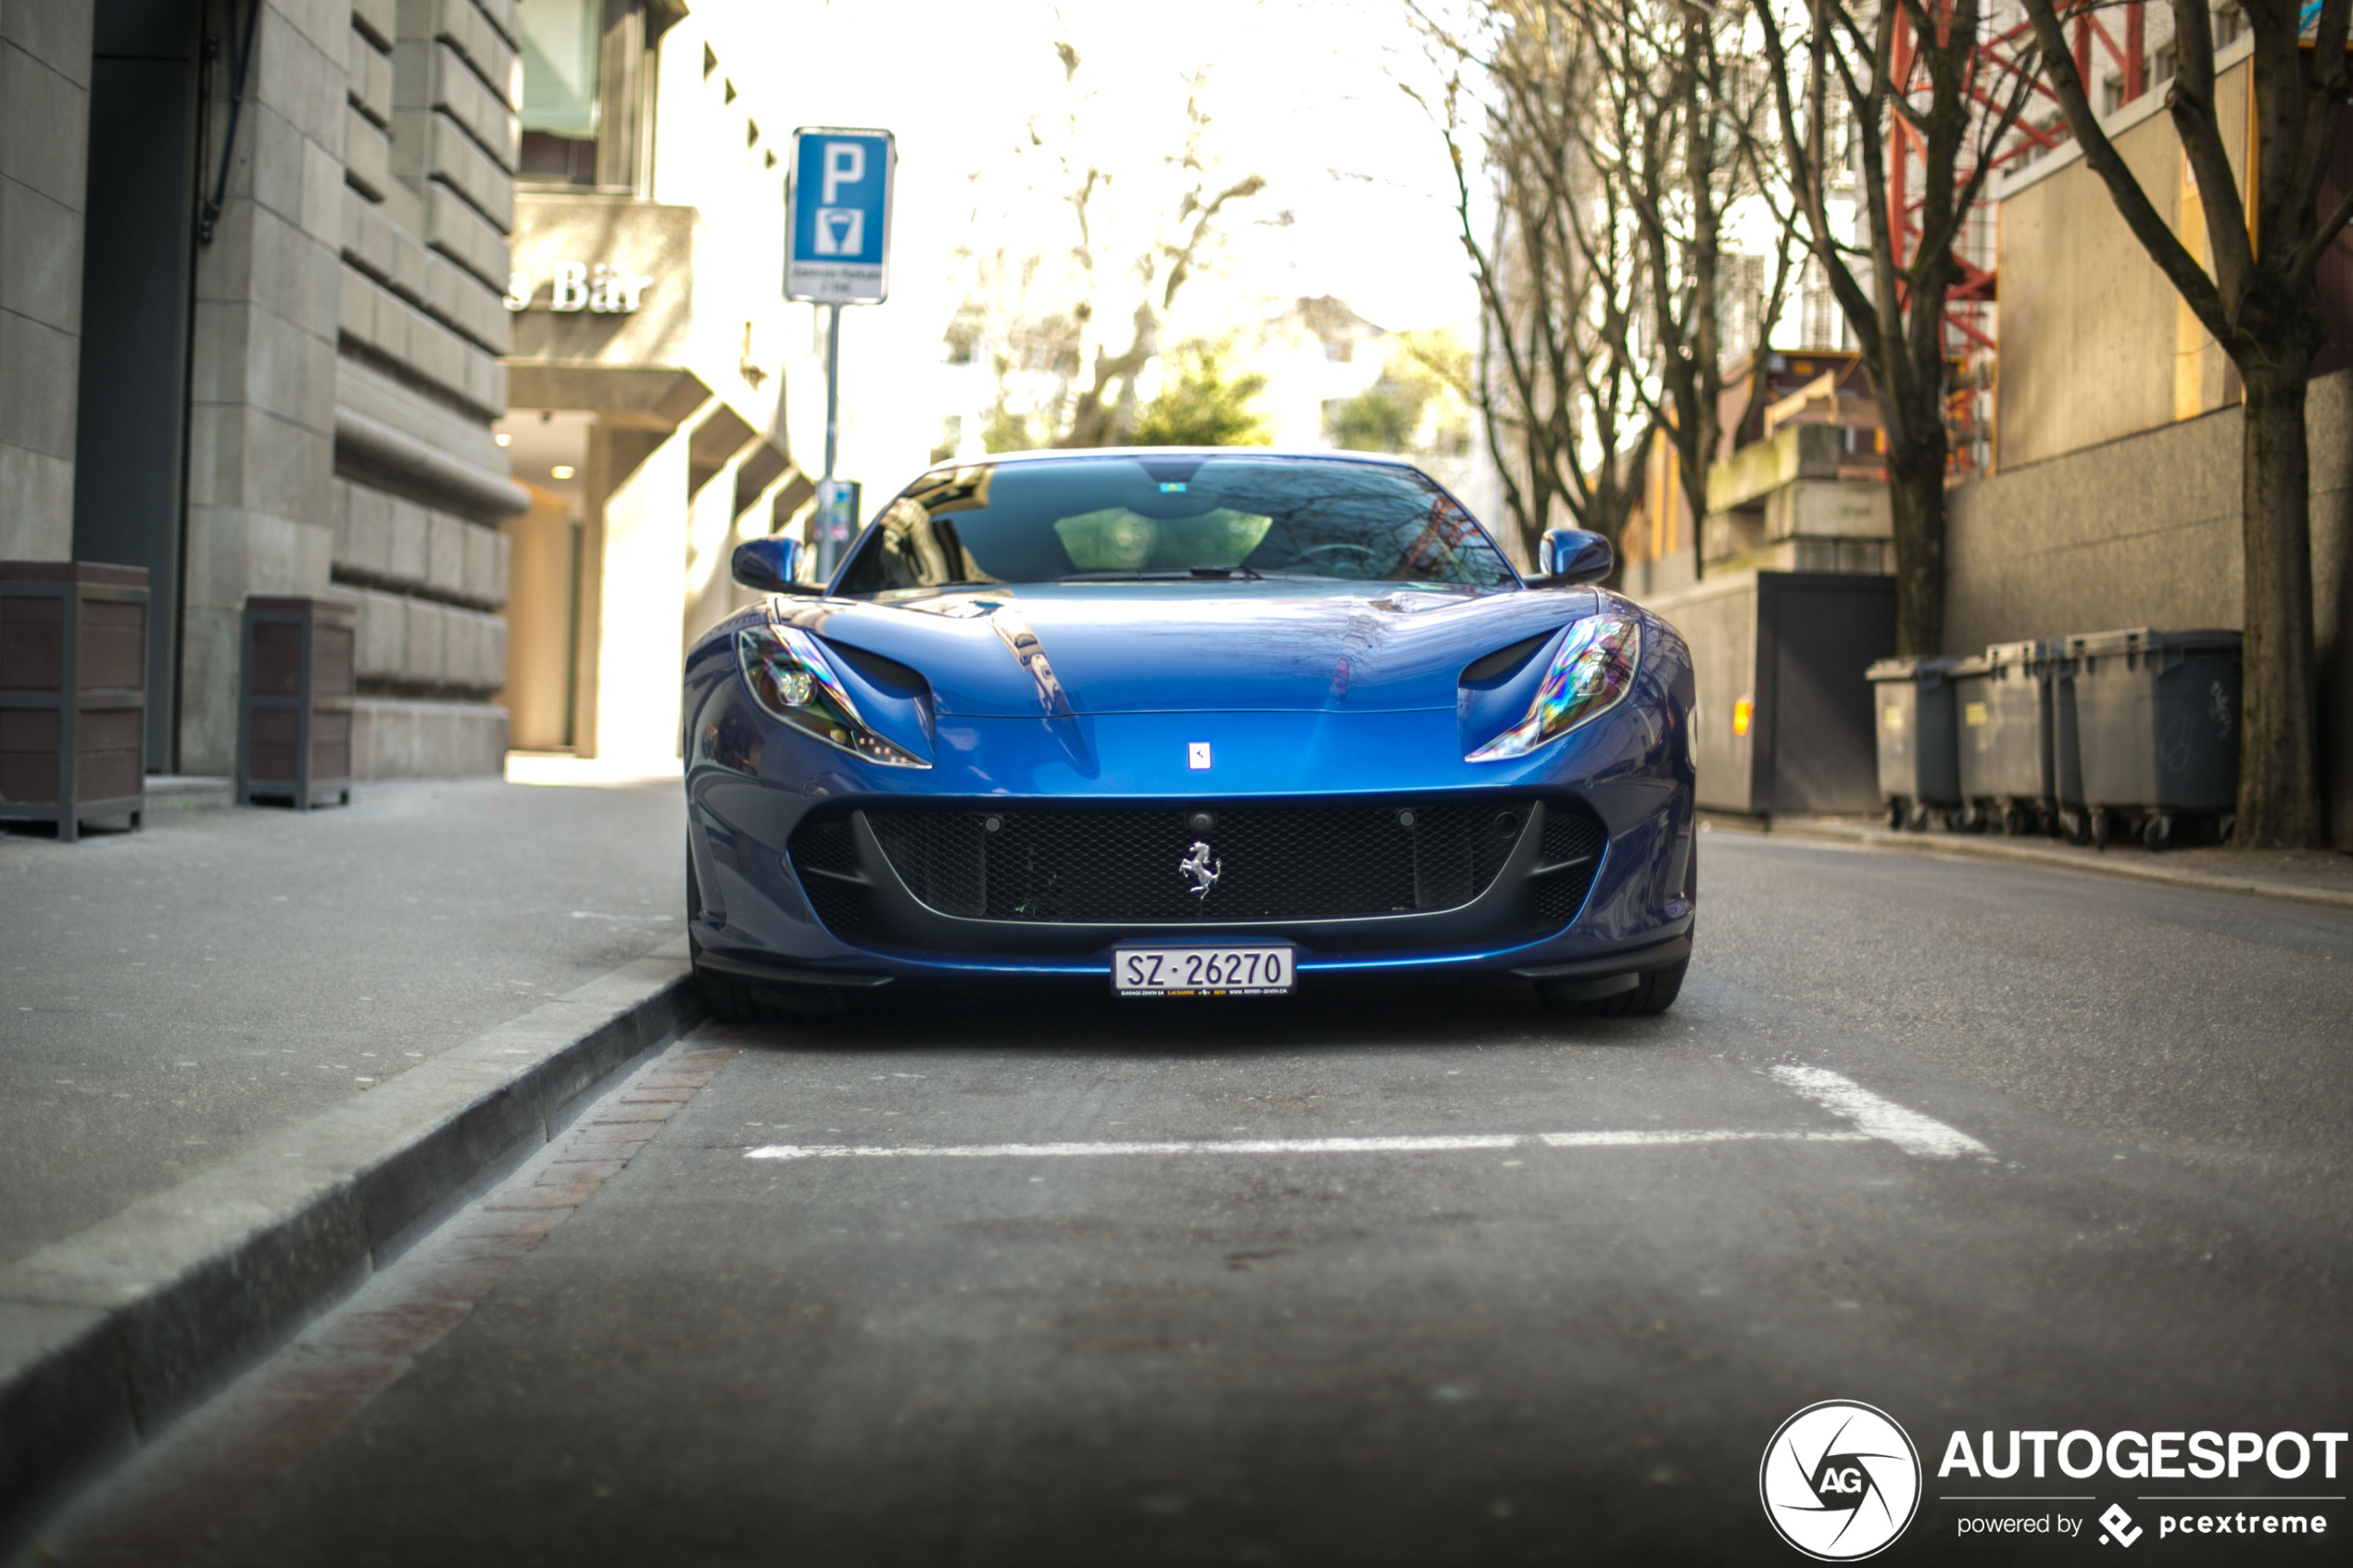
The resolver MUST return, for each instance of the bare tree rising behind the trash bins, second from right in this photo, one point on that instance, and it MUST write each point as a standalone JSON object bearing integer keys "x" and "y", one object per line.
{"x": 1862, "y": 60}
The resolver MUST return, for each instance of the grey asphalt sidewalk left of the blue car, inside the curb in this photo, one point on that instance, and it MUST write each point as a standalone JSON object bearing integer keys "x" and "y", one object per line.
{"x": 168, "y": 998}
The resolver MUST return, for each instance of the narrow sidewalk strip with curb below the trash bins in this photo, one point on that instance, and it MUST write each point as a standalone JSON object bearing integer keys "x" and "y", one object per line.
{"x": 2305, "y": 876}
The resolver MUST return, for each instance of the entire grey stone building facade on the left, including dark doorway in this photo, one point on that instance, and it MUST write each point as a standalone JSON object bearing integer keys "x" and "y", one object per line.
{"x": 251, "y": 274}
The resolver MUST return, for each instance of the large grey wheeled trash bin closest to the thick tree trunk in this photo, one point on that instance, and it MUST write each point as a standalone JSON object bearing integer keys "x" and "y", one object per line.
{"x": 2157, "y": 732}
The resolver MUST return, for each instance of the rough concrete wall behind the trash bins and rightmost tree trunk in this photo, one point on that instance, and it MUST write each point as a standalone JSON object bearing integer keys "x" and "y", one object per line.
{"x": 2147, "y": 532}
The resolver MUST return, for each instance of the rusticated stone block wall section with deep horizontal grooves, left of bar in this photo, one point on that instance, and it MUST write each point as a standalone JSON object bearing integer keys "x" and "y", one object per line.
{"x": 422, "y": 220}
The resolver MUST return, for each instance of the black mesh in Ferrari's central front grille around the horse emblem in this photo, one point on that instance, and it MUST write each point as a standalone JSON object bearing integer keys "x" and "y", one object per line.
{"x": 1274, "y": 862}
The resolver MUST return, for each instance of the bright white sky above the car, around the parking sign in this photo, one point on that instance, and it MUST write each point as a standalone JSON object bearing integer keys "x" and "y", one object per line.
{"x": 1305, "y": 93}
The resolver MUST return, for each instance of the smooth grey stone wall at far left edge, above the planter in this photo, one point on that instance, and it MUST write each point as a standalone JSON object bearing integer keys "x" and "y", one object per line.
{"x": 44, "y": 175}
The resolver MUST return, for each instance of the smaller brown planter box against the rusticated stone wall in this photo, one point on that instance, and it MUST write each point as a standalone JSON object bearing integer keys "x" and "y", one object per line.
{"x": 295, "y": 704}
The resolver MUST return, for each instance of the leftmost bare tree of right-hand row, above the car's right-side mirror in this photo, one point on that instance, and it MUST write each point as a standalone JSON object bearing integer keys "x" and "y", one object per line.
{"x": 1559, "y": 272}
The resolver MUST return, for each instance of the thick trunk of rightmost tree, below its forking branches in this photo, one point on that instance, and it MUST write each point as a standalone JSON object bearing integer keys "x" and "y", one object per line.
{"x": 2279, "y": 763}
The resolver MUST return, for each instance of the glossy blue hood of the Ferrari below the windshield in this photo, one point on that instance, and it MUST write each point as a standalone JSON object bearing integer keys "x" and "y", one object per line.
{"x": 1194, "y": 648}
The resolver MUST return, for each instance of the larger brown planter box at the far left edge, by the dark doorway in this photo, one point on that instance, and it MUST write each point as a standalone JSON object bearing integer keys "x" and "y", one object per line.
{"x": 72, "y": 695}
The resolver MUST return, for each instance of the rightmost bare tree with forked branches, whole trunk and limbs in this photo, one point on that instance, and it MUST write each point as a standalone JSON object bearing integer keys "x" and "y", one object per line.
{"x": 2262, "y": 304}
